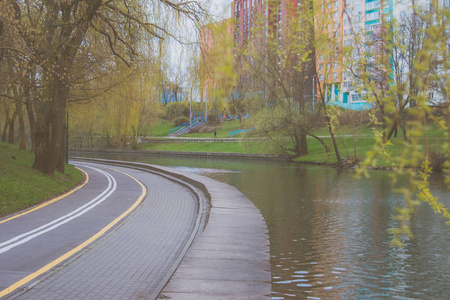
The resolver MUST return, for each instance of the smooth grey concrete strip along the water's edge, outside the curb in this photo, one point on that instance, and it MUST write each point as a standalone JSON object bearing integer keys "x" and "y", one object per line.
{"x": 230, "y": 259}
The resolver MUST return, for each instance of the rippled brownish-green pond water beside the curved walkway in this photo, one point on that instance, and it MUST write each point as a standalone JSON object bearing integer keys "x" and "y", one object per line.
{"x": 328, "y": 231}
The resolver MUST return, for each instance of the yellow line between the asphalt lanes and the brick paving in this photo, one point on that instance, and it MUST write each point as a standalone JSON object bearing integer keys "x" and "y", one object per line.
{"x": 79, "y": 247}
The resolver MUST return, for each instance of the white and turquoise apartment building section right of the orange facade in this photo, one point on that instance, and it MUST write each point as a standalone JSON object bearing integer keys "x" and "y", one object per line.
{"x": 366, "y": 19}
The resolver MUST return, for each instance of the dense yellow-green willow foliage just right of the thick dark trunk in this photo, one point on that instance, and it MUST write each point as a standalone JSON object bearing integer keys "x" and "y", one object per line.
{"x": 126, "y": 108}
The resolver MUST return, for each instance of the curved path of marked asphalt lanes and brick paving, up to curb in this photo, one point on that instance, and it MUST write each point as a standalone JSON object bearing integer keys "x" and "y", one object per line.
{"x": 131, "y": 259}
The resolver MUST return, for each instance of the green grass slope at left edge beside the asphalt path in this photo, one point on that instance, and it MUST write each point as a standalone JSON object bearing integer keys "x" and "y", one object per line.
{"x": 22, "y": 187}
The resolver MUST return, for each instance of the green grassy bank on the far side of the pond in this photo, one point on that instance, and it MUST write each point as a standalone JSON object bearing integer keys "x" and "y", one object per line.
{"x": 349, "y": 139}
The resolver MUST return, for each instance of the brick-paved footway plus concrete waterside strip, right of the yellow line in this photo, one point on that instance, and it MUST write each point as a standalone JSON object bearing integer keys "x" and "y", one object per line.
{"x": 228, "y": 260}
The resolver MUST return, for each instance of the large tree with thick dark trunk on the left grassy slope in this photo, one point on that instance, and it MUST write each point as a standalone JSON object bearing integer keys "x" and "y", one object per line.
{"x": 54, "y": 31}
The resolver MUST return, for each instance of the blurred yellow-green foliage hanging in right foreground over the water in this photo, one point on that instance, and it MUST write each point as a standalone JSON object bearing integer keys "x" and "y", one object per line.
{"x": 402, "y": 99}
